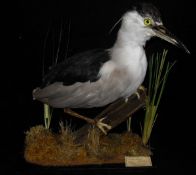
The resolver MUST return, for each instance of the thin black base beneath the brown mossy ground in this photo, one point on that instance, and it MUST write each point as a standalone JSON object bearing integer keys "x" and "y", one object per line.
{"x": 113, "y": 169}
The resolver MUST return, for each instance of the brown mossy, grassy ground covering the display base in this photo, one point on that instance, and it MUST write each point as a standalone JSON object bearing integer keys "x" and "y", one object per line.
{"x": 46, "y": 148}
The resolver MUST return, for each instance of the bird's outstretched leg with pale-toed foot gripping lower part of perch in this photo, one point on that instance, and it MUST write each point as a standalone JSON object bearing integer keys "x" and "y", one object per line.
{"x": 98, "y": 123}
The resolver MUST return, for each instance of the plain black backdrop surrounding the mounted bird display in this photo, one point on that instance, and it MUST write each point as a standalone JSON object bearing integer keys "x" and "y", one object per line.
{"x": 173, "y": 137}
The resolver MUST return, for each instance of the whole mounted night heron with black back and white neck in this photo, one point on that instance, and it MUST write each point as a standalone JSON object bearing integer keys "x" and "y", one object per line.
{"x": 99, "y": 77}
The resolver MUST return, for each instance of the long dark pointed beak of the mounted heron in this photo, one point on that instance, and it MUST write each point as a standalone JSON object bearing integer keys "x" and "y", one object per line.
{"x": 163, "y": 33}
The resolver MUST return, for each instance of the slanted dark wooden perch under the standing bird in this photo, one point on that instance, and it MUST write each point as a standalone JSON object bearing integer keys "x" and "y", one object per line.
{"x": 116, "y": 113}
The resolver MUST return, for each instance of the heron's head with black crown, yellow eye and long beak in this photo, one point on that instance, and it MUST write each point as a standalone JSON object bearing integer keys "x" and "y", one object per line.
{"x": 143, "y": 22}
